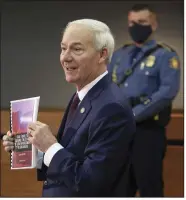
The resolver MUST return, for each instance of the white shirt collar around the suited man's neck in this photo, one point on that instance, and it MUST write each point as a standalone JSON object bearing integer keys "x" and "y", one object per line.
{"x": 86, "y": 88}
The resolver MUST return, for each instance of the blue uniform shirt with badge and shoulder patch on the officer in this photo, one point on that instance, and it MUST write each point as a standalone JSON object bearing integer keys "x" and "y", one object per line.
{"x": 155, "y": 78}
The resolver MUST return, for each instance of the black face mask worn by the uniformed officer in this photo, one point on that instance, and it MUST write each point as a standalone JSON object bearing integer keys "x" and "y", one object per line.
{"x": 140, "y": 33}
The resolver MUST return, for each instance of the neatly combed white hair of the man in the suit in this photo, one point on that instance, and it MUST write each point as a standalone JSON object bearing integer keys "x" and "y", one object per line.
{"x": 101, "y": 32}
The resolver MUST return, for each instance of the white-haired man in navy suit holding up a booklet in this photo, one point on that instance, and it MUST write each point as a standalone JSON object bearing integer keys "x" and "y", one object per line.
{"x": 92, "y": 150}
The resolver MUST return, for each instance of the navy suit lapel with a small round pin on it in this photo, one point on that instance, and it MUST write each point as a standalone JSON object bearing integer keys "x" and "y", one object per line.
{"x": 83, "y": 110}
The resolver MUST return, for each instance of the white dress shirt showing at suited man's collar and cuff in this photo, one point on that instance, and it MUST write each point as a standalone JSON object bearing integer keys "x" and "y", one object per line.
{"x": 52, "y": 150}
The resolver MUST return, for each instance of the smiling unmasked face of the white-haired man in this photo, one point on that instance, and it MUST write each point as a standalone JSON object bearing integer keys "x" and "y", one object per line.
{"x": 79, "y": 57}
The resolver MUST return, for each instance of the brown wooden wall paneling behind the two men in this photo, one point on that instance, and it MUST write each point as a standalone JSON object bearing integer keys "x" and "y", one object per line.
{"x": 23, "y": 183}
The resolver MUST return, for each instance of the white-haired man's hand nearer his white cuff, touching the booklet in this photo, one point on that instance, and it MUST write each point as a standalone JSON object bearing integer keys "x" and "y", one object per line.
{"x": 40, "y": 136}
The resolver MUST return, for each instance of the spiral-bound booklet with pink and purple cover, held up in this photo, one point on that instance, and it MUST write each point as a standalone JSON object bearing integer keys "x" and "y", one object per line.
{"x": 23, "y": 112}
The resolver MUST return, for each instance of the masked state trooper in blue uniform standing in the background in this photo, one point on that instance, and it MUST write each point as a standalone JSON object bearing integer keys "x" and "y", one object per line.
{"x": 149, "y": 73}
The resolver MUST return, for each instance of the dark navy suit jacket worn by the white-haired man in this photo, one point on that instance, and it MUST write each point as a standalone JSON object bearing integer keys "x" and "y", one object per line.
{"x": 97, "y": 146}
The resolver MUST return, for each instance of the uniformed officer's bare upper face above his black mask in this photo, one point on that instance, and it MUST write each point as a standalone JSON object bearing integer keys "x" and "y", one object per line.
{"x": 143, "y": 17}
